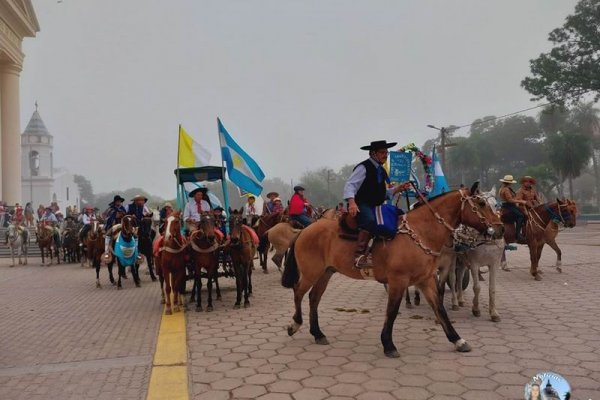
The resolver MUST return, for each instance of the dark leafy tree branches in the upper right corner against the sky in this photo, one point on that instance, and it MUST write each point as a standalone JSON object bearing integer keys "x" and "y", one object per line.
{"x": 570, "y": 70}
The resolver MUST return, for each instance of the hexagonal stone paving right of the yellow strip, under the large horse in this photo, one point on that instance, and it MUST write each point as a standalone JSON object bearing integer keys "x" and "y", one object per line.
{"x": 548, "y": 325}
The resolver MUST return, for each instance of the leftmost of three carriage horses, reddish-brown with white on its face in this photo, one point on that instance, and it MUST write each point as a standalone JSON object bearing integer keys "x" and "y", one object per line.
{"x": 171, "y": 261}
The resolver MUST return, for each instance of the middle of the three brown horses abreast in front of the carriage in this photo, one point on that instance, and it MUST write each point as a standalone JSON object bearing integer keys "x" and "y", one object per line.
{"x": 204, "y": 246}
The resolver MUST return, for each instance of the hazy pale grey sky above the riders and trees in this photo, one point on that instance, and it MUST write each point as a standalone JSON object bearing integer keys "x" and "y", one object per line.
{"x": 298, "y": 84}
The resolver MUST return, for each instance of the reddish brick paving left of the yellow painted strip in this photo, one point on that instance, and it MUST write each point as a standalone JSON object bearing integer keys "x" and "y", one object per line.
{"x": 61, "y": 338}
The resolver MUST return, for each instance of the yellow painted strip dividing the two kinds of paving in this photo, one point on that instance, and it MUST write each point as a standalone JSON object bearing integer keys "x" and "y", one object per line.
{"x": 169, "y": 378}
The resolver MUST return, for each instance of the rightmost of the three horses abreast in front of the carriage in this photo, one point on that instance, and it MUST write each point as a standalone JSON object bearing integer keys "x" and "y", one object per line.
{"x": 242, "y": 249}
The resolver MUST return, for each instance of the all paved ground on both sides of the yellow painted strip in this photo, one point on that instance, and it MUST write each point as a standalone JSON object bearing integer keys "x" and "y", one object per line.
{"x": 61, "y": 338}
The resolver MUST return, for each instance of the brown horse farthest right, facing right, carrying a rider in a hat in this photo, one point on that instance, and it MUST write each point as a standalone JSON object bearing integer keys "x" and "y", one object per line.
{"x": 535, "y": 229}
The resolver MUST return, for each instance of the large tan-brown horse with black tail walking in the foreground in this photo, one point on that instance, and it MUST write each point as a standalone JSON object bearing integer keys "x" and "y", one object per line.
{"x": 408, "y": 259}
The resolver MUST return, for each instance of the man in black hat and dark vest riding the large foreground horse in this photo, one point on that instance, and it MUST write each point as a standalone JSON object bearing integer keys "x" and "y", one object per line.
{"x": 365, "y": 189}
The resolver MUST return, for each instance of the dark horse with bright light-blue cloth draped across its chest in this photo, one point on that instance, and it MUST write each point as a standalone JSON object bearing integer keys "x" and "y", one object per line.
{"x": 126, "y": 250}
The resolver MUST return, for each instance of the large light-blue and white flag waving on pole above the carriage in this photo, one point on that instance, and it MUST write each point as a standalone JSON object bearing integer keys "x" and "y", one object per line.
{"x": 242, "y": 170}
